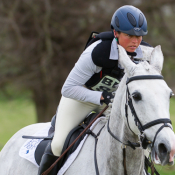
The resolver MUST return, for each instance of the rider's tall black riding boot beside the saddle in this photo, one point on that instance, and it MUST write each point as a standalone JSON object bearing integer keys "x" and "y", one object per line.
{"x": 47, "y": 160}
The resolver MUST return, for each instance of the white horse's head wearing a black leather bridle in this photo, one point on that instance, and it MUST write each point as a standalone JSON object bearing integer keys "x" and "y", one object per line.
{"x": 149, "y": 98}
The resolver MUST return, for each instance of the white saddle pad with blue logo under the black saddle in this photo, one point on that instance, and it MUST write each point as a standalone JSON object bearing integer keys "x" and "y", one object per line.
{"x": 28, "y": 149}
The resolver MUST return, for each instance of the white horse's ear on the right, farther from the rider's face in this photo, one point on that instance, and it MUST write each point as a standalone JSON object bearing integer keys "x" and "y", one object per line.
{"x": 157, "y": 58}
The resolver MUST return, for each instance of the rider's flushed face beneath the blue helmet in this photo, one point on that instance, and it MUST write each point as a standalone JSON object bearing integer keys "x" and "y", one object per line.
{"x": 128, "y": 42}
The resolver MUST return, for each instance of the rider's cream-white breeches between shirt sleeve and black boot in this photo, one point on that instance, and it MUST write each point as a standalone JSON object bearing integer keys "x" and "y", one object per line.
{"x": 70, "y": 113}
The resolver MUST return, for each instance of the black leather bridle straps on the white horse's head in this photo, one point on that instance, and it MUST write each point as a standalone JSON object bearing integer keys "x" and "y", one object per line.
{"x": 144, "y": 142}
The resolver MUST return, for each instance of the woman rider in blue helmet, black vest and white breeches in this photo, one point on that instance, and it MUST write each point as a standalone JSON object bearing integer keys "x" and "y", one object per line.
{"x": 90, "y": 84}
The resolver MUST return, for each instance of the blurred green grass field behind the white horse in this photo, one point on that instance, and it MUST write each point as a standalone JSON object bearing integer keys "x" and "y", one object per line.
{"x": 17, "y": 113}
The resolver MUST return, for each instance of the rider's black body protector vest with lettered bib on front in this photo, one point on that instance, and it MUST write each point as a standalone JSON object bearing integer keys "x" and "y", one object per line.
{"x": 110, "y": 75}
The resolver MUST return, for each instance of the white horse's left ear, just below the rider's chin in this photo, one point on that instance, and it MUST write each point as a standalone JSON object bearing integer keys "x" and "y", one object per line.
{"x": 125, "y": 61}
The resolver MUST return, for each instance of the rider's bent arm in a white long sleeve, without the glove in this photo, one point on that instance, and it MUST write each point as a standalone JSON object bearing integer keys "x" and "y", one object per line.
{"x": 80, "y": 74}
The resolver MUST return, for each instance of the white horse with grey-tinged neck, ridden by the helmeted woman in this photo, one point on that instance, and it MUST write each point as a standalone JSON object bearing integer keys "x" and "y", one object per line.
{"x": 150, "y": 98}
